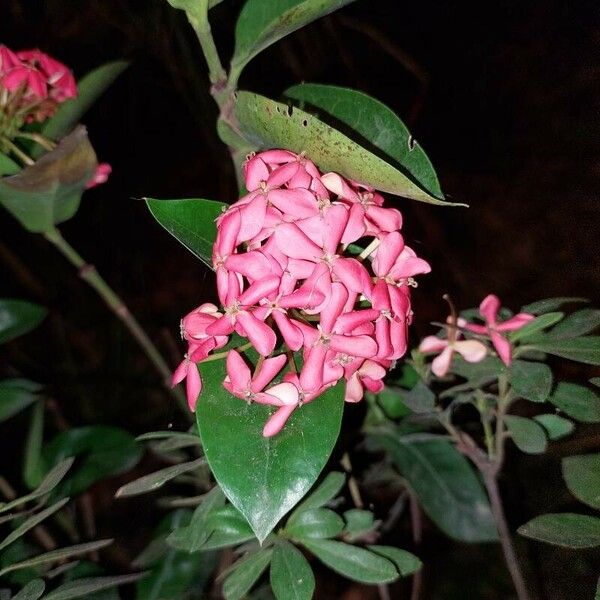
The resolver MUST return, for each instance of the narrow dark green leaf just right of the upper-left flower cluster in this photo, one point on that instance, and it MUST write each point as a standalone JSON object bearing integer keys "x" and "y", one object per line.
{"x": 89, "y": 89}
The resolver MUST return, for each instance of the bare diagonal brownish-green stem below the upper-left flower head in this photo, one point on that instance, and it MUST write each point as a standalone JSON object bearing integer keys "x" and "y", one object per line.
{"x": 90, "y": 275}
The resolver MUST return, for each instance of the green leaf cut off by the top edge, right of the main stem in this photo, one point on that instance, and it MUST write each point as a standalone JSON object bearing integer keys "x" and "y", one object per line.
{"x": 263, "y": 22}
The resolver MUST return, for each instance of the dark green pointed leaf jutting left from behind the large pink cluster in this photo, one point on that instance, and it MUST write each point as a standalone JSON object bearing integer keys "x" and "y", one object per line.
{"x": 191, "y": 222}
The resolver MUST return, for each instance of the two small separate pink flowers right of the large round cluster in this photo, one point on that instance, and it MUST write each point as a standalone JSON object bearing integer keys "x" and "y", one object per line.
{"x": 473, "y": 350}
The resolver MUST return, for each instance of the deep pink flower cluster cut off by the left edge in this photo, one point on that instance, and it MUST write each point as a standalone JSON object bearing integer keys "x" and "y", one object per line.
{"x": 32, "y": 84}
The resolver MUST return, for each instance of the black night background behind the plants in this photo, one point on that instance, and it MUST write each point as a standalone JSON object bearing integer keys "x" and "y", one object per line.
{"x": 503, "y": 96}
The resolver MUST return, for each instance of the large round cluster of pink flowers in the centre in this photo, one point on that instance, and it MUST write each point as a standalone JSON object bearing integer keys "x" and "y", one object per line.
{"x": 282, "y": 264}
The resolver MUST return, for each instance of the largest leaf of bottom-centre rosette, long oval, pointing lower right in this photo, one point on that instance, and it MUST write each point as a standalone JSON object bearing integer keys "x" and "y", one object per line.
{"x": 353, "y": 562}
